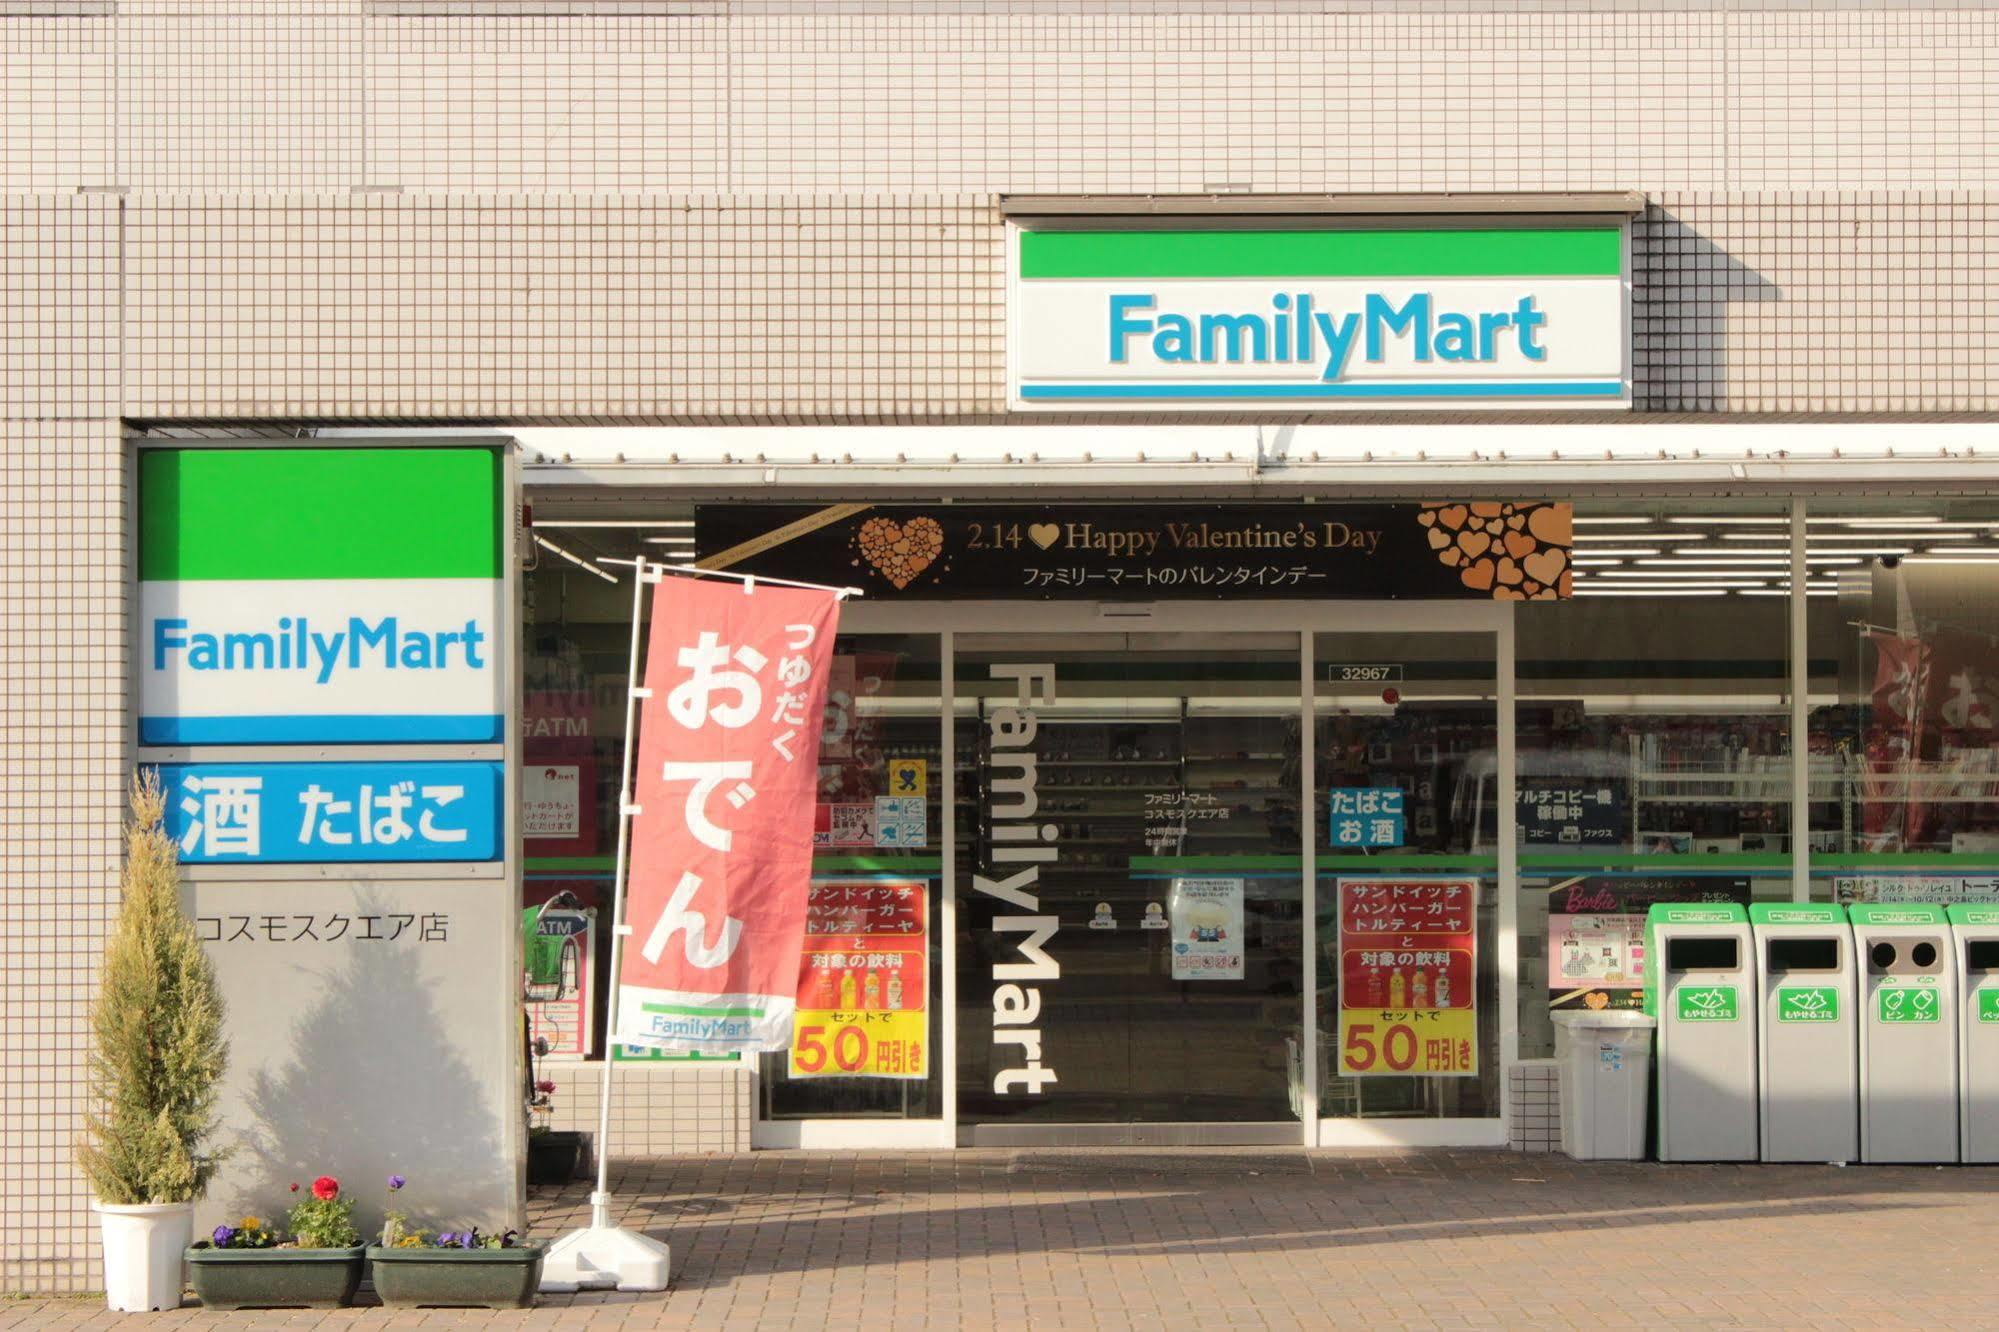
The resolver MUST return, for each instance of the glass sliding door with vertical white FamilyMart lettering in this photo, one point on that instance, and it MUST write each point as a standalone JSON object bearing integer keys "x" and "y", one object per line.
{"x": 1128, "y": 879}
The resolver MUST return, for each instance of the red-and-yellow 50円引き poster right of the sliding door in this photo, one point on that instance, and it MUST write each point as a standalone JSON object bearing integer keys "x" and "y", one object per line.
{"x": 1408, "y": 977}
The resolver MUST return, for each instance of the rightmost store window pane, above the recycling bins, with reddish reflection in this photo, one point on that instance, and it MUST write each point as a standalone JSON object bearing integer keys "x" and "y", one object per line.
{"x": 1906, "y": 703}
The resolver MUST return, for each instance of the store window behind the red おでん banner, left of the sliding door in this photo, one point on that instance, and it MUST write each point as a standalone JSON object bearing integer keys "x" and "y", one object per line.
{"x": 877, "y": 845}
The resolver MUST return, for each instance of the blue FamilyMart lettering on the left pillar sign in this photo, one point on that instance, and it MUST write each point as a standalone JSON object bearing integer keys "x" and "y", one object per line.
{"x": 295, "y": 645}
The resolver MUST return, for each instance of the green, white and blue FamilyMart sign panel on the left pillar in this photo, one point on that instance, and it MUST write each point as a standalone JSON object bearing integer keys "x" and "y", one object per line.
{"x": 321, "y": 597}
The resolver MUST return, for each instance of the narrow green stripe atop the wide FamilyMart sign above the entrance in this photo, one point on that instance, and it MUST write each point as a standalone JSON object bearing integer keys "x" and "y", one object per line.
{"x": 1496, "y": 253}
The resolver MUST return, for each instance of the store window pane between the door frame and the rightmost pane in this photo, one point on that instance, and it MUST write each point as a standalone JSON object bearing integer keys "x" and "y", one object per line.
{"x": 1652, "y": 739}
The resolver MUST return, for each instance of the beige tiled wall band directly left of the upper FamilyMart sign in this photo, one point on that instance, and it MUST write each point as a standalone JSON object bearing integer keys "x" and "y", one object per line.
{"x": 563, "y": 307}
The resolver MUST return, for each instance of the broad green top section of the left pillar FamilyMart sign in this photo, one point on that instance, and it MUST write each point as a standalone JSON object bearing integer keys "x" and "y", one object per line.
{"x": 319, "y": 513}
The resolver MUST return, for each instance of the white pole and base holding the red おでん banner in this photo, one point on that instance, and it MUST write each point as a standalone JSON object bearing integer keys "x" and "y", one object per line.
{"x": 605, "y": 1255}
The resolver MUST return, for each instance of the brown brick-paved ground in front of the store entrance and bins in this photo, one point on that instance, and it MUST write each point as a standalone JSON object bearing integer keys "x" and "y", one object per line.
{"x": 1256, "y": 1239}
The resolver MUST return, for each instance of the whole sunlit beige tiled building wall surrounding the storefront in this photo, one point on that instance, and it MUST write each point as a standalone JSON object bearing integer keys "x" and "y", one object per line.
{"x": 655, "y": 211}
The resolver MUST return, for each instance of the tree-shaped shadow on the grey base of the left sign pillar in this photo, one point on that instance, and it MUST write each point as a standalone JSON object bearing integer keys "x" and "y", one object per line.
{"x": 375, "y": 1085}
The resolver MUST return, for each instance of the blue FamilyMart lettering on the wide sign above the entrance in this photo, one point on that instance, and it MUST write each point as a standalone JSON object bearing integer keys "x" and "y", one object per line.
{"x": 1294, "y": 333}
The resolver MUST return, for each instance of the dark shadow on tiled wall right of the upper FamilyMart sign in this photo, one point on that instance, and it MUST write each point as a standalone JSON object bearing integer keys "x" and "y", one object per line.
{"x": 1682, "y": 295}
